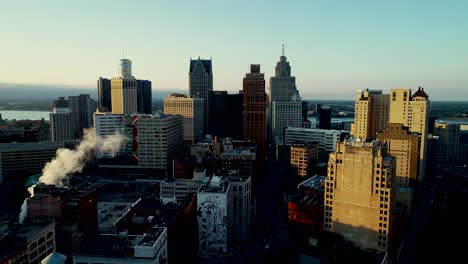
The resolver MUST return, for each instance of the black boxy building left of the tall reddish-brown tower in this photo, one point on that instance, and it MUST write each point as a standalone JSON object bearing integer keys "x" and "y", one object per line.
{"x": 225, "y": 119}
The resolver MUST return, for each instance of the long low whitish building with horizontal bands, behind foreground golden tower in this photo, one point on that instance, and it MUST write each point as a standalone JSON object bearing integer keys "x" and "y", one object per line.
{"x": 326, "y": 138}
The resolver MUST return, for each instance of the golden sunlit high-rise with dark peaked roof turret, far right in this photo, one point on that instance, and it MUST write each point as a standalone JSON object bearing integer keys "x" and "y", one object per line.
{"x": 412, "y": 111}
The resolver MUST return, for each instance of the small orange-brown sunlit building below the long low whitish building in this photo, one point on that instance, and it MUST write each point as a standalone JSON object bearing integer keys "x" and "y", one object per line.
{"x": 303, "y": 156}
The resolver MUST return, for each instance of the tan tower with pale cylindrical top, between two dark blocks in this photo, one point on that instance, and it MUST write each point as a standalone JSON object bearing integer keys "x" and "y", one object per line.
{"x": 124, "y": 90}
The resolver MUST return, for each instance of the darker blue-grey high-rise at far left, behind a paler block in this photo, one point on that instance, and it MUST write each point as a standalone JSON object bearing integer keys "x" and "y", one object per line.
{"x": 82, "y": 108}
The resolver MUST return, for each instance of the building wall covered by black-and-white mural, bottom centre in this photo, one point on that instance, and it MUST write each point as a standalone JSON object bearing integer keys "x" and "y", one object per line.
{"x": 214, "y": 210}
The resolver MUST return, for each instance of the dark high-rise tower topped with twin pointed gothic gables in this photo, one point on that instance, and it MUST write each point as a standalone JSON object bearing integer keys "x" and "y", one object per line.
{"x": 201, "y": 83}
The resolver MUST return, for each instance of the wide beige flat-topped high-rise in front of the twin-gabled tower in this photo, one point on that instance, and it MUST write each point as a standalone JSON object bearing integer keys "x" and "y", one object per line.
{"x": 191, "y": 110}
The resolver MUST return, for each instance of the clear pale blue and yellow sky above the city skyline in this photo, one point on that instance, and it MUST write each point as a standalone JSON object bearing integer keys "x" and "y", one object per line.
{"x": 334, "y": 47}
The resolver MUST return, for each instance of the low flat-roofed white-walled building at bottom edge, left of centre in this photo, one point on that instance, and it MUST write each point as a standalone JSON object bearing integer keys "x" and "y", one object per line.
{"x": 150, "y": 248}
